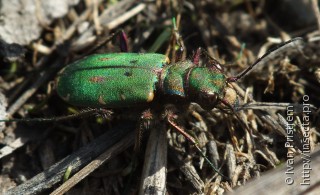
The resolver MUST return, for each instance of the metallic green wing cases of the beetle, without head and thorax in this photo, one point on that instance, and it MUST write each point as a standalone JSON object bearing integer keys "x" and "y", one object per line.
{"x": 111, "y": 80}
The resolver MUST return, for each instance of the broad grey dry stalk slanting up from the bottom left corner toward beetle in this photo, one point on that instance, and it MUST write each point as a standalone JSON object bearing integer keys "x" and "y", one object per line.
{"x": 54, "y": 174}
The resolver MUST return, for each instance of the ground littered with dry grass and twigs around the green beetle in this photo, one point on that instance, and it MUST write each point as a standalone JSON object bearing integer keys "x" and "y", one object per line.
{"x": 106, "y": 151}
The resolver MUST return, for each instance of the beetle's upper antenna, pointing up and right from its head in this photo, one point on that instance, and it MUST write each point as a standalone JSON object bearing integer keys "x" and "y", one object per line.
{"x": 296, "y": 43}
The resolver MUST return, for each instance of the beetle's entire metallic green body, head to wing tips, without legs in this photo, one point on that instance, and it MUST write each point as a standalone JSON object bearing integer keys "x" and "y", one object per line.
{"x": 127, "y": 79}
